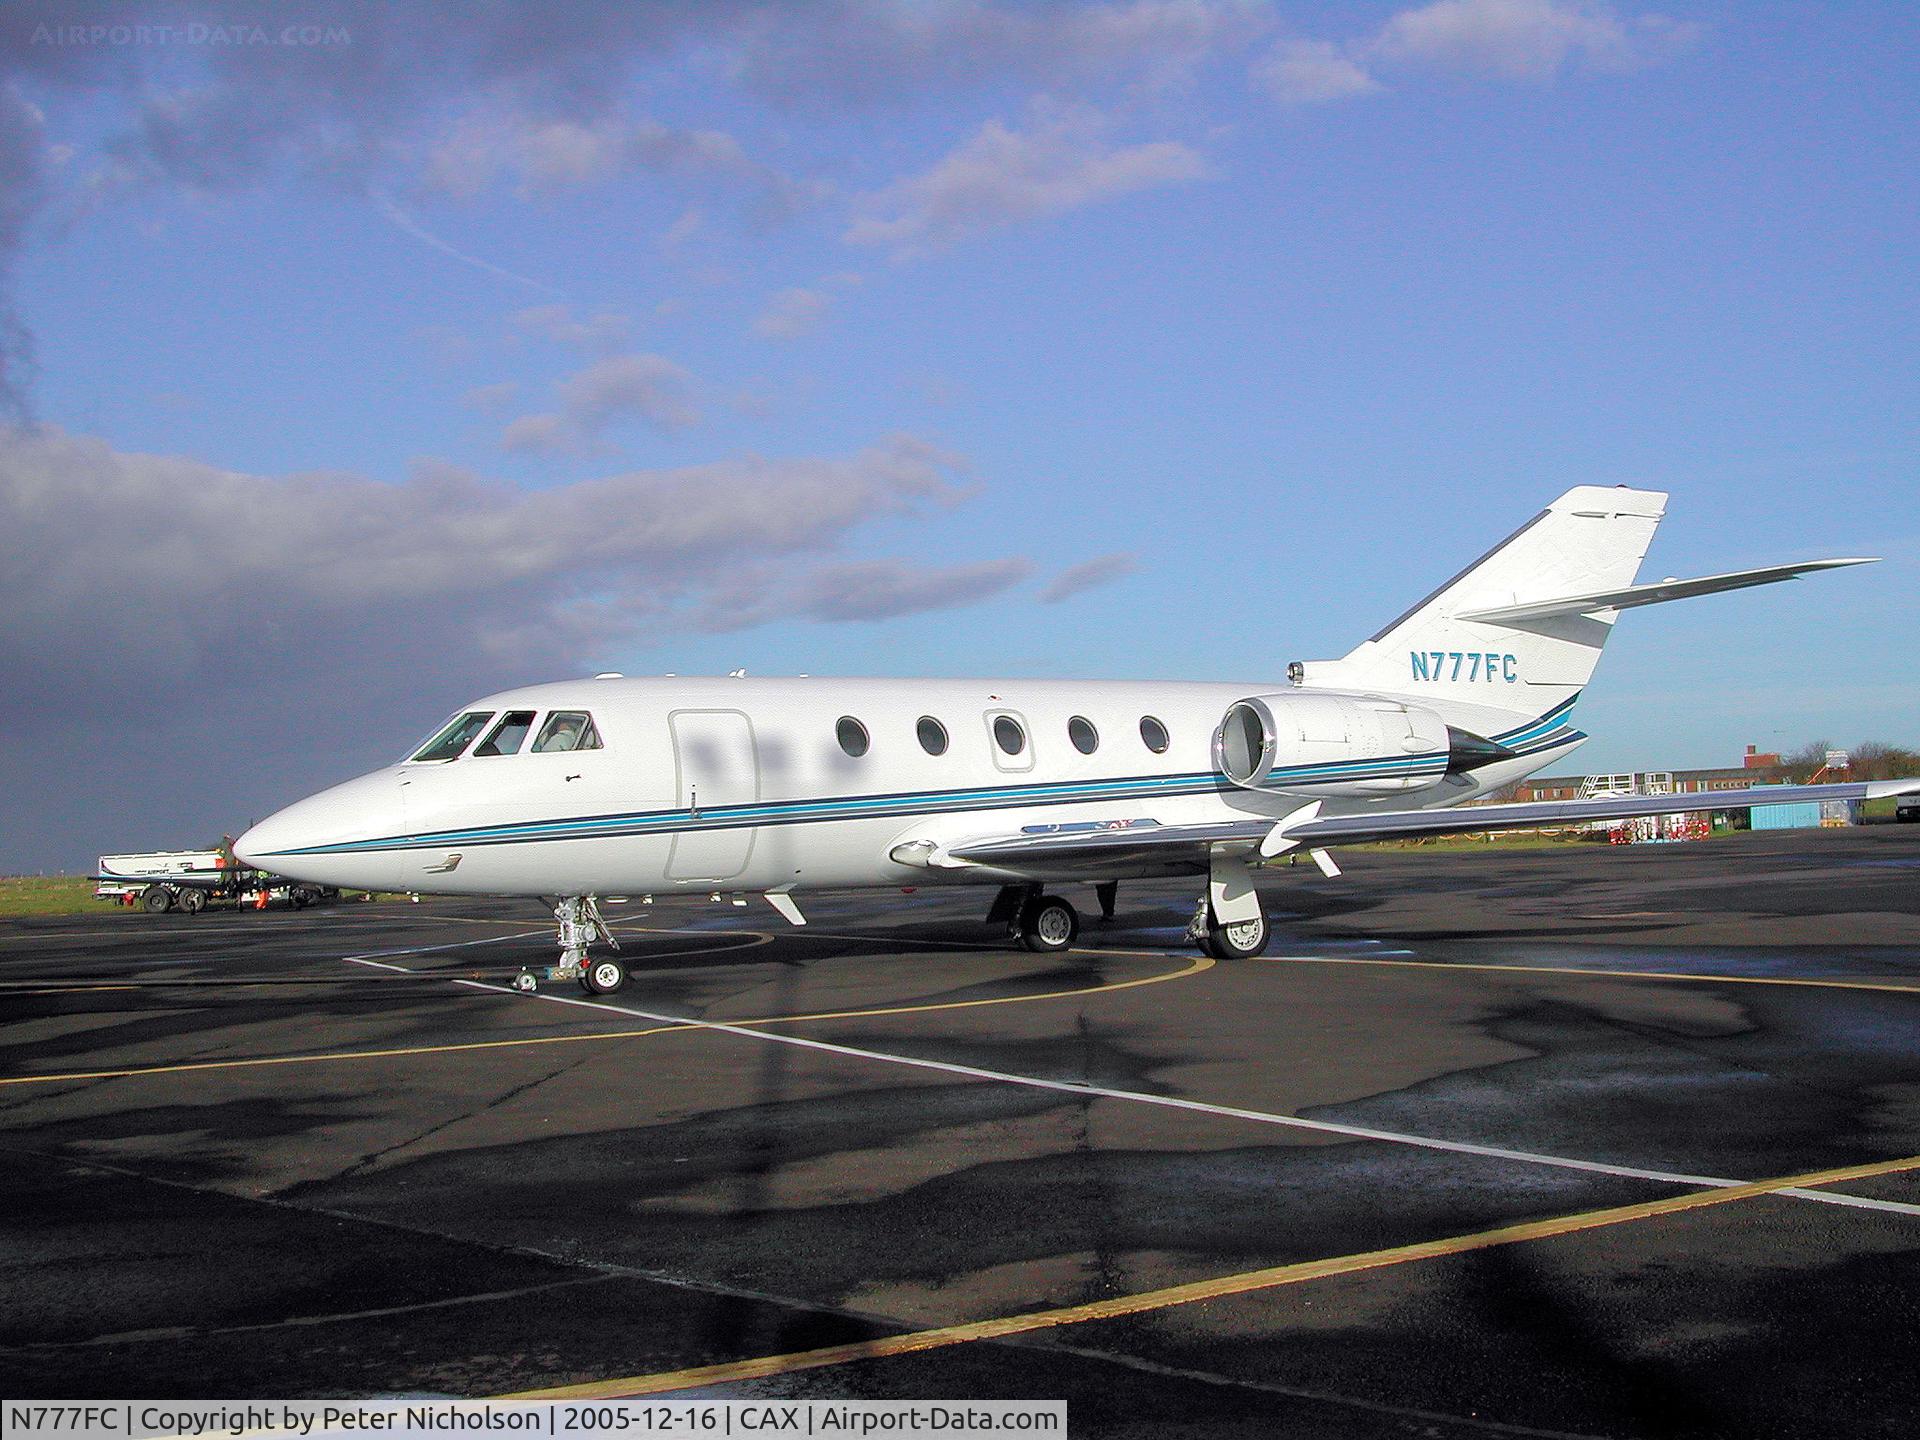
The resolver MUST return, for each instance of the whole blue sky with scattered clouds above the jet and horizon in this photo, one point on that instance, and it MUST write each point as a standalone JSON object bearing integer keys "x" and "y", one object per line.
{"x": 366, "y": 368}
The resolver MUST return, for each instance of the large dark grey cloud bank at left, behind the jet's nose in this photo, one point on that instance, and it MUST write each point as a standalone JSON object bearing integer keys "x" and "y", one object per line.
{"x": 324, "y": 621}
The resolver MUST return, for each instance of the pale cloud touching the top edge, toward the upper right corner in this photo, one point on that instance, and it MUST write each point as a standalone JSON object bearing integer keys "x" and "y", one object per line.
{"x": 1527, "y": 39}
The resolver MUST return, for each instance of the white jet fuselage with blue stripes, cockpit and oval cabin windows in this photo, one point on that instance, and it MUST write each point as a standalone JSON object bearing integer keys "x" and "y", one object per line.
{"x": 796, "y": 784}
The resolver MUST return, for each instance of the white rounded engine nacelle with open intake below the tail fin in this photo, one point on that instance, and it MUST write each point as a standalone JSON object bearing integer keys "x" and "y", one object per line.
{"x": 1335, "y": 744}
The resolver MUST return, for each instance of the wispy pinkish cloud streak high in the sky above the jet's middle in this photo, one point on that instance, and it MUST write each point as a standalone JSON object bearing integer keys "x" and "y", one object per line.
{"x": 1001, "y": 178}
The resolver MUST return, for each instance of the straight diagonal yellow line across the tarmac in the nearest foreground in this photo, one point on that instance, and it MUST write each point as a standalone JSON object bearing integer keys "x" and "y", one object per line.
{"x": 1186, "y": 1295}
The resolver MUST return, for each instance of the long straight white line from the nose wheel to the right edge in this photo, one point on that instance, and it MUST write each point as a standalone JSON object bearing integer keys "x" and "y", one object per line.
{"x": 1199, "y": 1107}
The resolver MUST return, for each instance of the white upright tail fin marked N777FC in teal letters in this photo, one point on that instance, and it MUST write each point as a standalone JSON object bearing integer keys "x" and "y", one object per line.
{"x": 1589, "y": 540}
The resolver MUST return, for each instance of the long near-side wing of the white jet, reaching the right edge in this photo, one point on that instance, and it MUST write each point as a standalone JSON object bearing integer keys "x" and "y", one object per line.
{"x": 1143, "y": 848}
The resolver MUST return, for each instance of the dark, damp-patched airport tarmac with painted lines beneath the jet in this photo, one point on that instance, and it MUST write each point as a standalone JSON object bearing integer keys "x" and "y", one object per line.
{"x": 1577, "y": 1141}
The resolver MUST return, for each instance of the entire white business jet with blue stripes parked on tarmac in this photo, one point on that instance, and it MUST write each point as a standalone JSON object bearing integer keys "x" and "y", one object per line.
{"x": 612, "y": 788}
